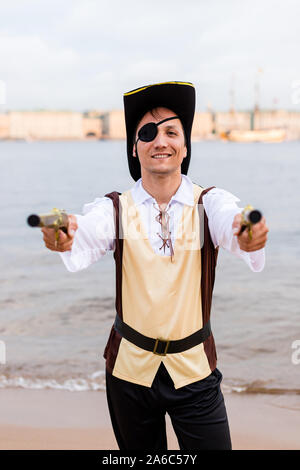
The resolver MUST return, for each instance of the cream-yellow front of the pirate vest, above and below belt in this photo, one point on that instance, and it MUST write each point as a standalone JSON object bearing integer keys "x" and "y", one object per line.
{"x": 161, "y": 298}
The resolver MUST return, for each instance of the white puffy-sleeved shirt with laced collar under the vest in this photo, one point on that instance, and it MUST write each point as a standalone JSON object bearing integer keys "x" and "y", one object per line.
{"x": 96, "y": 229}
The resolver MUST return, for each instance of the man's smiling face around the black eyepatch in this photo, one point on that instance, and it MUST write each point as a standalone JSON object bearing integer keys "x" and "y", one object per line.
{"x": 164, "y": 154}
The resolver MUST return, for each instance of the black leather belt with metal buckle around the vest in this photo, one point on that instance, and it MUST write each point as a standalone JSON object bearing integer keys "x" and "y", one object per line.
{"x": 160, "y": 346}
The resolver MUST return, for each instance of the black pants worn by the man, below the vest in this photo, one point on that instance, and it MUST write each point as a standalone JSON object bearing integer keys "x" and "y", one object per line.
{"x": 197, "y": 412}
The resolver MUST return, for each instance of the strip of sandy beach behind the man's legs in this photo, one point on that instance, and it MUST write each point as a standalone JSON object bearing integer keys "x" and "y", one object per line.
{"x": 50, "y": 419}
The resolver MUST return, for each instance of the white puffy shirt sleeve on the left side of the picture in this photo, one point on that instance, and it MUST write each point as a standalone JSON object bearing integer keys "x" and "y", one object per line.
{"x": 94, "y": 237}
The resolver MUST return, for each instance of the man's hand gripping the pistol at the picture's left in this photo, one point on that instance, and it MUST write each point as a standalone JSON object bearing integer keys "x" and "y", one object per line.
{"x": 65, "y": 241}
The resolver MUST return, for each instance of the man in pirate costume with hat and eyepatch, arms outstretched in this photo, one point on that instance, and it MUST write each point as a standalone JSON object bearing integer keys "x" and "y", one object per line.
{"x": 165, "y": 233}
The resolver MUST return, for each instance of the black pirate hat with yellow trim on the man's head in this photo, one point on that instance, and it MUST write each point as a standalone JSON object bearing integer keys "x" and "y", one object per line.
{"x": 176, "y": 96}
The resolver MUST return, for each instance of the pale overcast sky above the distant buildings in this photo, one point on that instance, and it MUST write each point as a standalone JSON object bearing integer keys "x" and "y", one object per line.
{"x": 81, "y": 55}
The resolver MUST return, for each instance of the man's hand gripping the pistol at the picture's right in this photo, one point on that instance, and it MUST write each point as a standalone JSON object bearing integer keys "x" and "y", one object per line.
{"x": 259, "y": 234}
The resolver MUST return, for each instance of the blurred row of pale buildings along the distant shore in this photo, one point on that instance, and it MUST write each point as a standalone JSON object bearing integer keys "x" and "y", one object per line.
{"x": 96, "y": 125}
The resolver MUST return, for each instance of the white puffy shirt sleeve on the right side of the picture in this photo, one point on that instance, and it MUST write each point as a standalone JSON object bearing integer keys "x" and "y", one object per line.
{"x": 221, "y": 207}
